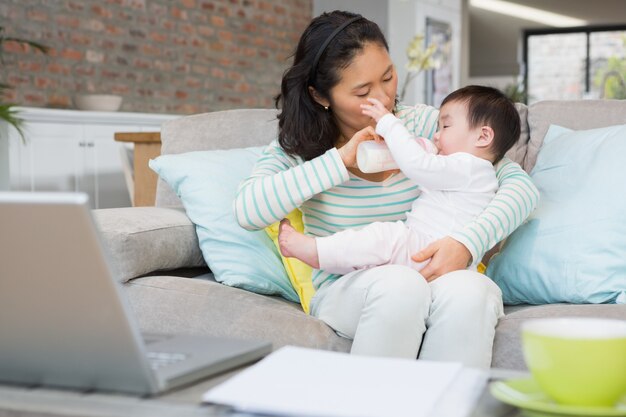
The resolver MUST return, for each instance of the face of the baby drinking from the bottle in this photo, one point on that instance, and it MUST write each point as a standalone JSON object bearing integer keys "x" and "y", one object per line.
{"x": 454, "y": 134}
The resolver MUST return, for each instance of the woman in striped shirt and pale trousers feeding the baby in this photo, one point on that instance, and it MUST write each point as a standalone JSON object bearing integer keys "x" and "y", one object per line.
{"x": 444, "y": 313}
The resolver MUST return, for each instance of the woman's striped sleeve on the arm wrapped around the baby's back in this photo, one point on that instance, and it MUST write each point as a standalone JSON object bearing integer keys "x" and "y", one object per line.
{"x": 516, "y": 198}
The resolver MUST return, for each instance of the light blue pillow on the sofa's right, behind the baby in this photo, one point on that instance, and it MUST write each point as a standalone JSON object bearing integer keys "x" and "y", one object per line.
{"x": 573, "y": 247}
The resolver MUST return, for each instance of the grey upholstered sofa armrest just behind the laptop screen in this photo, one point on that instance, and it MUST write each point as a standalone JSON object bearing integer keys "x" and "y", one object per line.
{"x": 141, "y": 240}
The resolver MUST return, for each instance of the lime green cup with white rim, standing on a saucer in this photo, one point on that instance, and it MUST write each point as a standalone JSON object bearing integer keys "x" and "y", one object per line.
{"x": 577, "y": 361}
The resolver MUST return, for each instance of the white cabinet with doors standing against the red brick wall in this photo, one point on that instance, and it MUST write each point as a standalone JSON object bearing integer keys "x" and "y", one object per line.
{"x": 68, "y": 150}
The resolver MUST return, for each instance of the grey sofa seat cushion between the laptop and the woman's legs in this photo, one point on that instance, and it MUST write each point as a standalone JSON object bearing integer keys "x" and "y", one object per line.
{"x": 167, "y": 304}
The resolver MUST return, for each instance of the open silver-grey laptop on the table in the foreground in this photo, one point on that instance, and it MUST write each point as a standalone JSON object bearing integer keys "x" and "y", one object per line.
{"x": 64, "y": 320}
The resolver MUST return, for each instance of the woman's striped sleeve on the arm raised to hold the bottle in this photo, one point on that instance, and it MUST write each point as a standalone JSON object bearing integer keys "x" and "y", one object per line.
{"x": 280, "y": 183}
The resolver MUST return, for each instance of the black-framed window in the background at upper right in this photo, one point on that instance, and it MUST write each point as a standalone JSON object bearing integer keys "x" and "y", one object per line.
{"x": 568, "y": 64}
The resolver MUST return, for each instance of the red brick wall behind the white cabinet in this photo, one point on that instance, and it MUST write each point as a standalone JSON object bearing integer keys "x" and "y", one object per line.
{"x": 162, "y": 56}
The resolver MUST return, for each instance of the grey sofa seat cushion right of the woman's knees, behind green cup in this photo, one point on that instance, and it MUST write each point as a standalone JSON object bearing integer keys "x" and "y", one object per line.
{"x": 507, "y": 347}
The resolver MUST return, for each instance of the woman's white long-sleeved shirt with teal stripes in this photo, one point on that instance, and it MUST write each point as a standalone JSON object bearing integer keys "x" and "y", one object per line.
{"x": 333, "y": 199}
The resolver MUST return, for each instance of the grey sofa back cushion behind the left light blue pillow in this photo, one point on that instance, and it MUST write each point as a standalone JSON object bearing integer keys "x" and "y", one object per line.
{"x": 227, "y": 129}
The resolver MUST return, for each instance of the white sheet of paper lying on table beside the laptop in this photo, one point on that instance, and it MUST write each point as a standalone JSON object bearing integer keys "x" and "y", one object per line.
{"x": 307, "y": 382}
